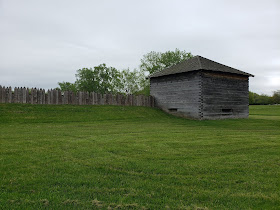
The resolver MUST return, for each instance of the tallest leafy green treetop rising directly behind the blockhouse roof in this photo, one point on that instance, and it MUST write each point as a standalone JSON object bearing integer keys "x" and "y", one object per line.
{"x": 157, "y": 61}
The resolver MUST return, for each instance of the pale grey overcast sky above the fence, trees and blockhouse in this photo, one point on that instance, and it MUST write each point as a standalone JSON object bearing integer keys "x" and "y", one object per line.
{"x": 43, "y": 42}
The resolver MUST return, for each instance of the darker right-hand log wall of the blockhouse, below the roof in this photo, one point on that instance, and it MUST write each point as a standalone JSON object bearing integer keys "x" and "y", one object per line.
{"x": 224, "y": 95}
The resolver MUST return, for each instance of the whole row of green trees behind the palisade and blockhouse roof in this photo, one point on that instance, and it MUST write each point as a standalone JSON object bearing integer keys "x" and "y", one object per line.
{"x": 106, "y": 79}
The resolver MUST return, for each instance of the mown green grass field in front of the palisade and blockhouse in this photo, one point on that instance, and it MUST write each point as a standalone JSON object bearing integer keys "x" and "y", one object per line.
{"x": 89, "y": 157}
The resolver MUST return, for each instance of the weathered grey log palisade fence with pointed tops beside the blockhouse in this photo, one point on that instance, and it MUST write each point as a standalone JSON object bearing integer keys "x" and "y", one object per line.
{"x": 53, "y": 96}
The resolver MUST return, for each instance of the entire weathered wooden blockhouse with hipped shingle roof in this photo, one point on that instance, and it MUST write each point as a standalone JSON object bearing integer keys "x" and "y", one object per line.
{"x": 200, "y": 88}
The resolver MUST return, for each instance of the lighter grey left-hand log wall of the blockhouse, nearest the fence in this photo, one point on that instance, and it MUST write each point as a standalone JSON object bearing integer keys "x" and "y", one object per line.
{"x": 179, "y": 94}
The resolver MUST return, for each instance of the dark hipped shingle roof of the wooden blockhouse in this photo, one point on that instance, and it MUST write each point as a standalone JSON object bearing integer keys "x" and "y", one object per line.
{"x": 198, "y": 63}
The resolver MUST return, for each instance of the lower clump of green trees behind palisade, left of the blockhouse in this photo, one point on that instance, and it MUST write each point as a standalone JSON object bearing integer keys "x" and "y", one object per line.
{"x": 103, "y": 79}
